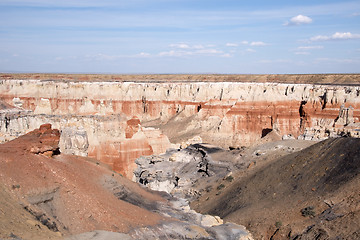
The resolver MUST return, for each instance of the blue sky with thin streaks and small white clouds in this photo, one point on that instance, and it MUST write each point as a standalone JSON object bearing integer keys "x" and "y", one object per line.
{"x": 180, "y": 36}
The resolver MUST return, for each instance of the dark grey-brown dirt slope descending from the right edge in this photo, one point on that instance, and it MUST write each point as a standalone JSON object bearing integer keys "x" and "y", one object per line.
{"x": 310, "y": 194}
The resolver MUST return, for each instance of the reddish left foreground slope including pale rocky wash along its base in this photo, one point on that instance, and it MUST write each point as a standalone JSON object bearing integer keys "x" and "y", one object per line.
{"x": 49, "y": 195}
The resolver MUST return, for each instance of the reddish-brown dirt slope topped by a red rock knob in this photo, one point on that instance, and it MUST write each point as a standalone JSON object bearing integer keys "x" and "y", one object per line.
{"x": 64, "y": 193}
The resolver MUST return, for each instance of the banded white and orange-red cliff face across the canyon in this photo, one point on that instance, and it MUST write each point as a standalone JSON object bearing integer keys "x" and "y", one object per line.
{"x": 113, "y": 121}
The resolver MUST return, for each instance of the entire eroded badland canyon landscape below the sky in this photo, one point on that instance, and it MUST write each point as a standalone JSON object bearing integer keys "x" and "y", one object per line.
{"x": 179, "y": 156}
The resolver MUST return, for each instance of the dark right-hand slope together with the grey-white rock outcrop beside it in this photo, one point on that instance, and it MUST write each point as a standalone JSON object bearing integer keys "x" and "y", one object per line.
{"x": 279, "y": 190}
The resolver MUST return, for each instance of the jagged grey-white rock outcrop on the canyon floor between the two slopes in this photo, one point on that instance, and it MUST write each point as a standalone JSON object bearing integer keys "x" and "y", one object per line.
{"x": 178, "y": 172}
